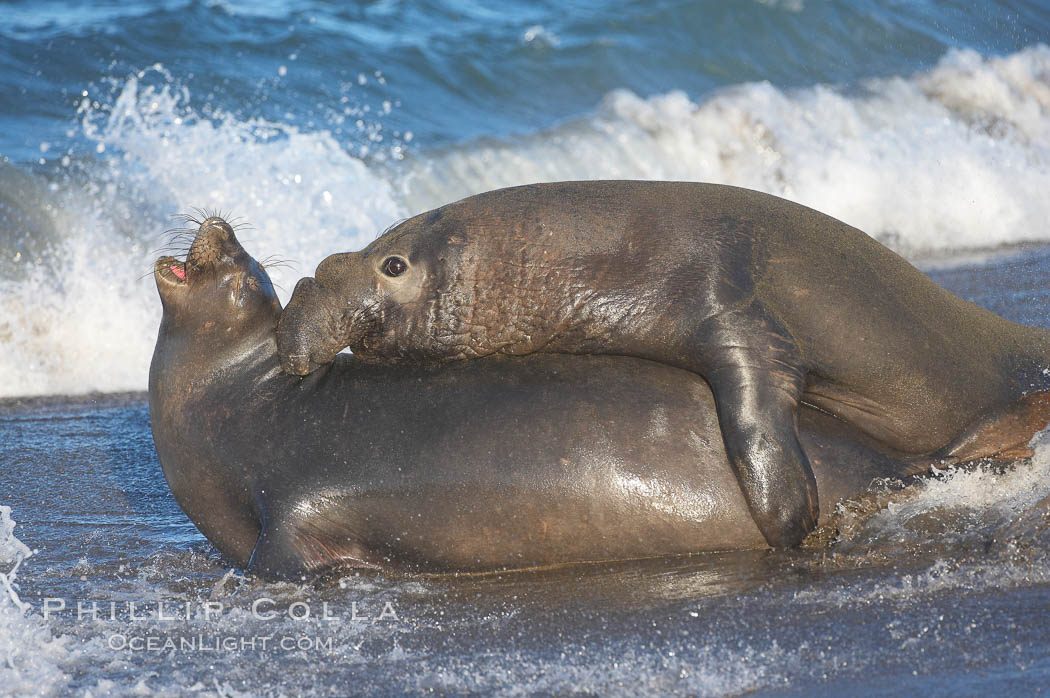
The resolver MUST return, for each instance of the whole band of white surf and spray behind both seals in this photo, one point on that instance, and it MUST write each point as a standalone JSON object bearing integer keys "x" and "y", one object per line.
{"x": 953, "y": 159}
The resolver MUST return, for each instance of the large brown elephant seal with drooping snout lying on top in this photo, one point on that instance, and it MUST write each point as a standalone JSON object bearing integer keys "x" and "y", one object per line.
{"x": 774, "y": 304}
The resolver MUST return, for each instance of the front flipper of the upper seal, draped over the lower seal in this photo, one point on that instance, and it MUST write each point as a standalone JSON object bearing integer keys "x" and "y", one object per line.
{"x": 755, "y": 373}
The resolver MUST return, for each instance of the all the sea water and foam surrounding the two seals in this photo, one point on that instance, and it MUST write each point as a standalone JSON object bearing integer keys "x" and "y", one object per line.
{"x": 927, "y": 124}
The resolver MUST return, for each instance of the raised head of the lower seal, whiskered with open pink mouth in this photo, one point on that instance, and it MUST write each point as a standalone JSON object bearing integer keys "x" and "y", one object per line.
{"x": 220, "y": 289}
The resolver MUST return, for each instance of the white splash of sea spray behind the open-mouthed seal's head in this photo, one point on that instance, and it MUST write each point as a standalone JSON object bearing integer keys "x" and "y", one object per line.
{"x": 86, "y": 319}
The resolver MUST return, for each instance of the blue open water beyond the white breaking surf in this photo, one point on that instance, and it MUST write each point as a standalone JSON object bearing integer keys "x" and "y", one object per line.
{"x": 464, "y": 71}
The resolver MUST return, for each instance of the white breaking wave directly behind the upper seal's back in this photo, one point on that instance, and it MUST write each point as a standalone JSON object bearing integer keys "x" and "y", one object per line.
{"x": 952, "y": 159}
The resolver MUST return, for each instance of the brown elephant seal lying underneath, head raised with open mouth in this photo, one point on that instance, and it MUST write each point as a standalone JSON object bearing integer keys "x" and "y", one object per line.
{"x": 474, "y": 467}
